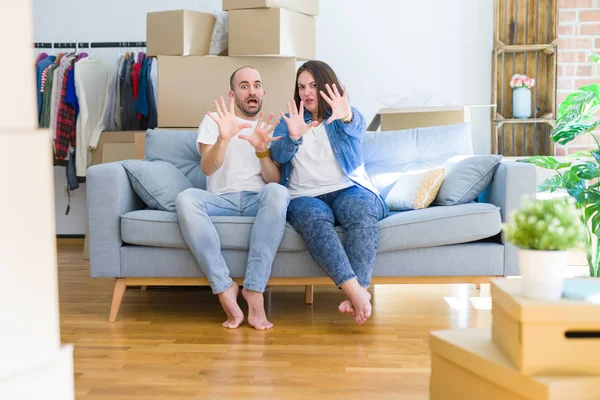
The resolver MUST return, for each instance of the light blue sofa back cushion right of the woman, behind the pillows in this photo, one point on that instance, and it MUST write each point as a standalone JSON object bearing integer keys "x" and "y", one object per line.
{"x": 390, "y": 152}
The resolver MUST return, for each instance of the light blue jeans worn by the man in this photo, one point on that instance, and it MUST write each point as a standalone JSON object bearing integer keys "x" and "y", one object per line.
{"x": 196, "y": 206}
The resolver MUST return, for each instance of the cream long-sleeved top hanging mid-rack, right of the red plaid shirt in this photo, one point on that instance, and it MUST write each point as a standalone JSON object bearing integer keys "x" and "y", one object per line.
{"x": 92, "y": 79}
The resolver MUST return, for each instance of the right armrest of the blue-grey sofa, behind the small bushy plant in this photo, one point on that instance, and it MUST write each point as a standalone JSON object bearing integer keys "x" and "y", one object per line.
{"x": 513, "y": 182}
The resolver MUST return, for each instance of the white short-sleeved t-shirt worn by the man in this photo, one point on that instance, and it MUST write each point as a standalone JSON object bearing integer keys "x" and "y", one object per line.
{"x": 241, "y": 168}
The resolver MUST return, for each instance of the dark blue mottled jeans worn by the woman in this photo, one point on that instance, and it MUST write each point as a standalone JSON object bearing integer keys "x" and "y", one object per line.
{"x": 357, "y": 210}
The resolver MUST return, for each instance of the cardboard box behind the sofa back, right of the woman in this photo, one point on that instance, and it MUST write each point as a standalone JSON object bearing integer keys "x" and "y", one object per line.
{"x": 391, "y": 119}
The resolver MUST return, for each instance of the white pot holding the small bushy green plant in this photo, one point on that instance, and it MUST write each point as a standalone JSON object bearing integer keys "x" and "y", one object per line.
{"x": 543, "y": 273}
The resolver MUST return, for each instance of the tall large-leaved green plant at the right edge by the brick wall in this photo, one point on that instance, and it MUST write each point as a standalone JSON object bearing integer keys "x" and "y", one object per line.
{"x": 578, "y": 175}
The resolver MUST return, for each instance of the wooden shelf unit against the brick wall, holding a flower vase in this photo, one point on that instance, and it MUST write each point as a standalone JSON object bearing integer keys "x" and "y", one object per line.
{"x": 525, "y": 42}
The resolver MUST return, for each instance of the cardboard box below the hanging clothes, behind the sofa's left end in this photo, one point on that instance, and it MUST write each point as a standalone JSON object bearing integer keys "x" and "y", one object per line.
{"x": 119, "y": 146}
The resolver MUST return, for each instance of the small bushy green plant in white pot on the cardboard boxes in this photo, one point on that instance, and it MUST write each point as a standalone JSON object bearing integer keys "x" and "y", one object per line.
{"x": 544, "y": 230}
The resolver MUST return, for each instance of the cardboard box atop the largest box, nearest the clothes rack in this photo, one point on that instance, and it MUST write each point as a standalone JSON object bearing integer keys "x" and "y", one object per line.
{"x": 179, "y": 33}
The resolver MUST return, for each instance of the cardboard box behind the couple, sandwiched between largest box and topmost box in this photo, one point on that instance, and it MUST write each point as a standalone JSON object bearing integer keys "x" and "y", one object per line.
{"x": 271, "y": 31}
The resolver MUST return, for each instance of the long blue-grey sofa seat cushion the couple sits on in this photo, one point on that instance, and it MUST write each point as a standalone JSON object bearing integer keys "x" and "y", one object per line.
{"x": 433, "y": 226}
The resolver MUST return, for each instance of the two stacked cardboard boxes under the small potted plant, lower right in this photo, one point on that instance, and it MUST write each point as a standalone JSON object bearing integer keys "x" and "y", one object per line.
{"x": 535, "y": 350}
